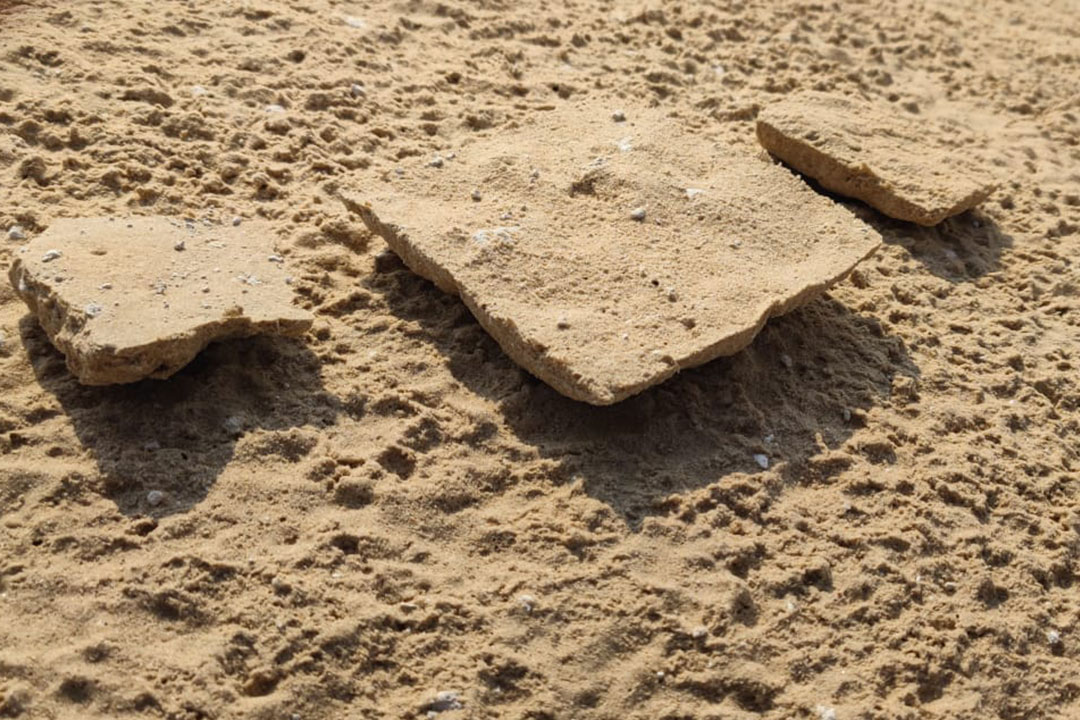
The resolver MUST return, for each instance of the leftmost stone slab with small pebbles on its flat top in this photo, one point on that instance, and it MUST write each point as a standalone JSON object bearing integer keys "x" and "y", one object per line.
{"x": 127, "y": 300}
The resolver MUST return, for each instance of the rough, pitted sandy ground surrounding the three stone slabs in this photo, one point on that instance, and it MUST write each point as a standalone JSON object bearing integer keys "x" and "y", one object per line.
{"x": 390, "y": 509}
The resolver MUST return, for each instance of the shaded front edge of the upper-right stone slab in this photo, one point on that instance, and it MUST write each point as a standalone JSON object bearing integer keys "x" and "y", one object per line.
{"x": 860, "y": 182}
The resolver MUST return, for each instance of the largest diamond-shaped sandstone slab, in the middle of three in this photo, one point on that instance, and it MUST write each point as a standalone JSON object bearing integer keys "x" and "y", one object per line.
{"x": 607, "y": 256}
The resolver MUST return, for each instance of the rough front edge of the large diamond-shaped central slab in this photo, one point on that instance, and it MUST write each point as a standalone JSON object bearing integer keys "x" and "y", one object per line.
{"x": 552, "y": 372}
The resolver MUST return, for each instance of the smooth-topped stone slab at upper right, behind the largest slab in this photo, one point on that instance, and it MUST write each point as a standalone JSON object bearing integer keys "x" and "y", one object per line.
{"x": 874, "y": 154}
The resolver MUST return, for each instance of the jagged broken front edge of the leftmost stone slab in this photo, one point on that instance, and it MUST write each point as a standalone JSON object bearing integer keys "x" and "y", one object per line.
{"x": 62, "y": 323}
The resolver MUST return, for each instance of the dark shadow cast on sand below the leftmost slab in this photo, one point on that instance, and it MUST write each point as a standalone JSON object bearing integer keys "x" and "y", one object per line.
{"x": 178, "y": 436}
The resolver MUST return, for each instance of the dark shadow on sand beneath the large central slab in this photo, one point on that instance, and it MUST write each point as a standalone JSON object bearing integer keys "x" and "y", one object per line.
{"x": 802, "y": 388}
